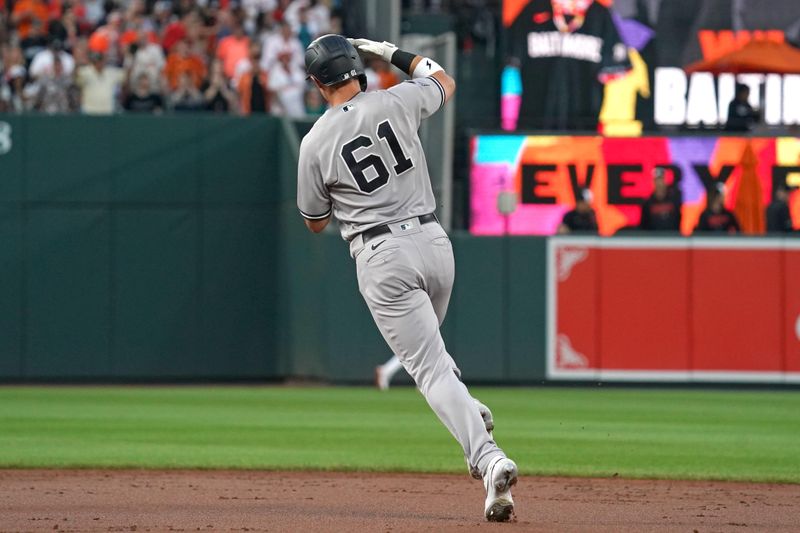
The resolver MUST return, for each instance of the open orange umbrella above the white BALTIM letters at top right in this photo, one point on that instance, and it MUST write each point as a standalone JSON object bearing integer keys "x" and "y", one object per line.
{"x": 755, "y": 56}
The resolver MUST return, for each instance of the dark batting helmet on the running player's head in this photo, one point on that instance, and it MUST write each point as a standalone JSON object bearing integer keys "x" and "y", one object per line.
{"x": 331, "y": 59}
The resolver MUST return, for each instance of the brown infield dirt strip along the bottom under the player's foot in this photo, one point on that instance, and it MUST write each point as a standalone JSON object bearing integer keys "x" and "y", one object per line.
{"x": 181, "y": 500}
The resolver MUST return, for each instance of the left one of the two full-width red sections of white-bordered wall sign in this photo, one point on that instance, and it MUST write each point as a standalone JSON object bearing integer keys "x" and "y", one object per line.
{"x": 642, "y": 309}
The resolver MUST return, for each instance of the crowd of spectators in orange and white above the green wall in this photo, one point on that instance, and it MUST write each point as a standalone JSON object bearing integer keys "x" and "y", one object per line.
{"x": 155, "y": 56}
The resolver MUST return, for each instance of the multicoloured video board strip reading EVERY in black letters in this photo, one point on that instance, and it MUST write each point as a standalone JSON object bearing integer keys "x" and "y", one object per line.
{"x": 546, "y": 173}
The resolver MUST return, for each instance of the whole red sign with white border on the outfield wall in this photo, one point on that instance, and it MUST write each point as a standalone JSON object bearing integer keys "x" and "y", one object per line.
{"x": 697, "y": 309}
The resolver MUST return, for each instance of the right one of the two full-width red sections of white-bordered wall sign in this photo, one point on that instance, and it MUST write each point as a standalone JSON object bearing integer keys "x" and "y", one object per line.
{"x": 736, "y": 314}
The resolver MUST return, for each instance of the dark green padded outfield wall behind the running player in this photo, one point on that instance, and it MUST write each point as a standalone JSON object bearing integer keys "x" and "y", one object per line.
{"x": 169, "y": 248}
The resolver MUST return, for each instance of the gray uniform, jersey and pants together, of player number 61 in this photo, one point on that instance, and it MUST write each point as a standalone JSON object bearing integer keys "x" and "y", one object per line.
{"x": 363, "y": 162}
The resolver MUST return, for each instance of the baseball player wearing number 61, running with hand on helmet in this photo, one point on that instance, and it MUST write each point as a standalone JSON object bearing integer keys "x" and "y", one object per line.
{"x": 363, "y": 163}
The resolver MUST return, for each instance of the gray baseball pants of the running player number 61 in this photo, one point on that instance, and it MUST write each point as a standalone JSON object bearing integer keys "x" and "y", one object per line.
{"x": 406, "y": 278}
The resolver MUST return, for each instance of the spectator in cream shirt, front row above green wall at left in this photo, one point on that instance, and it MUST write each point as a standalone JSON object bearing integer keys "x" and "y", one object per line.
{"x": 99, "y": 83}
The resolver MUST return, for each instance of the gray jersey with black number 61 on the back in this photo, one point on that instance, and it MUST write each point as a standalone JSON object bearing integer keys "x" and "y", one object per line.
{"x": 363, "y": 160}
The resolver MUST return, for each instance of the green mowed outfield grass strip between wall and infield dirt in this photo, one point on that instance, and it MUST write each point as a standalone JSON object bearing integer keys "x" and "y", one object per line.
{"x": 753, "y": 435}
